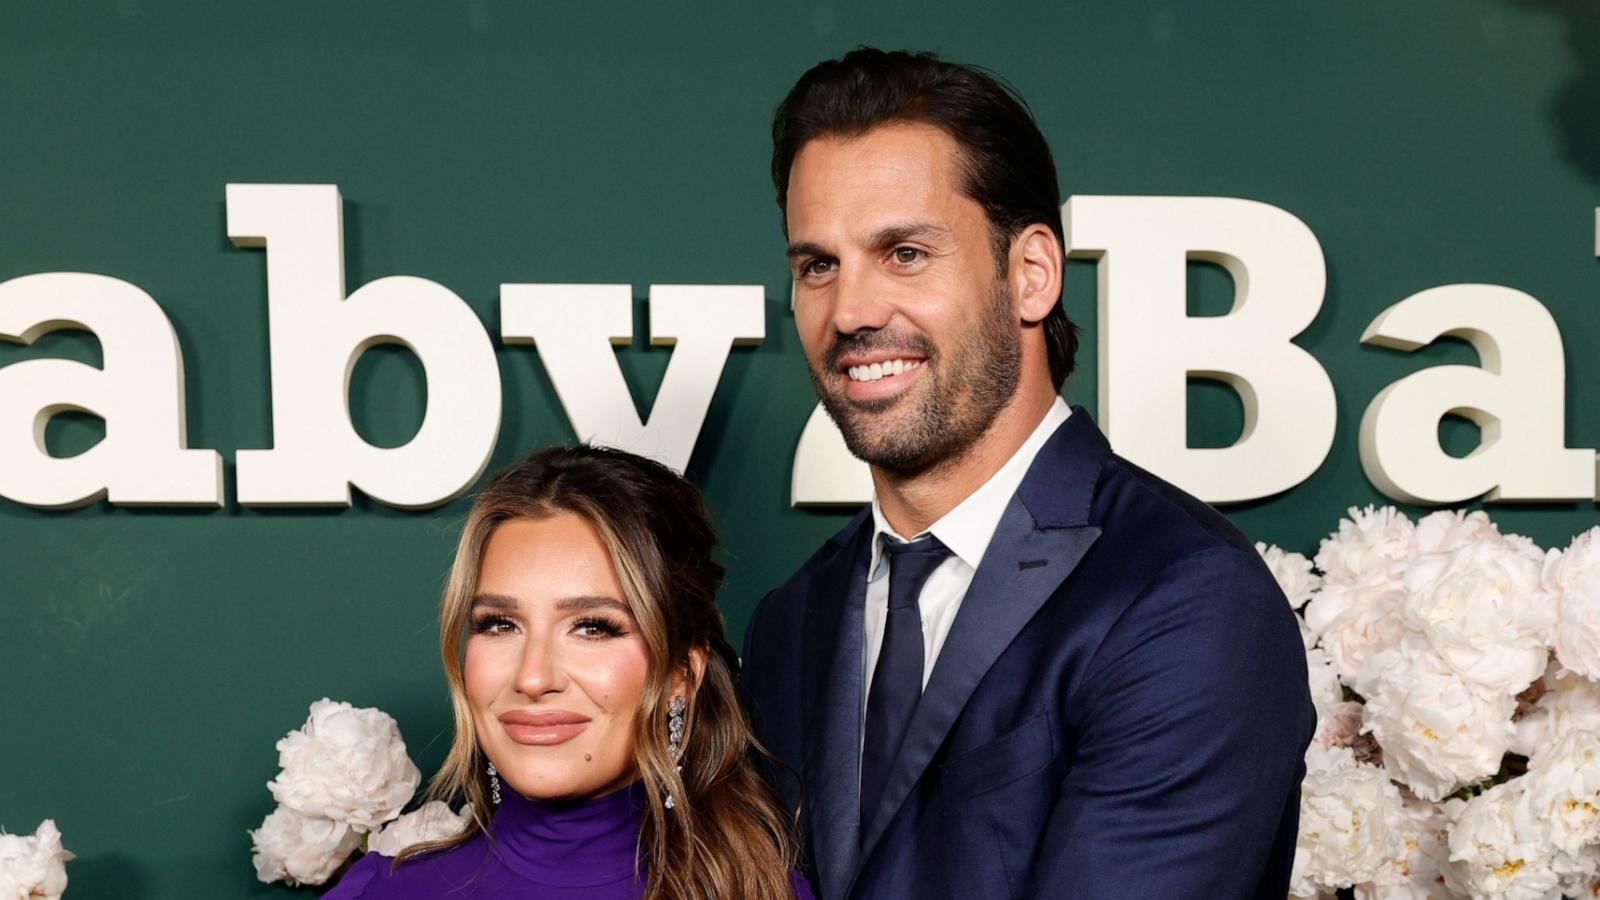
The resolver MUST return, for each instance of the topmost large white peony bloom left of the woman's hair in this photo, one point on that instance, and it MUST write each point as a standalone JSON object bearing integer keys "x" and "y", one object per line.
{"x": 346, "y": 765}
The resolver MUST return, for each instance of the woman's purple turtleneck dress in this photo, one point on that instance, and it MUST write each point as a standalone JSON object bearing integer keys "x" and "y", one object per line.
{"x": 540, "y": 853}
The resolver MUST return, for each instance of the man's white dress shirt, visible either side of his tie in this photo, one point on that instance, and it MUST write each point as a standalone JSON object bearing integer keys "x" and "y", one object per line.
{"x": 967, "y": 531}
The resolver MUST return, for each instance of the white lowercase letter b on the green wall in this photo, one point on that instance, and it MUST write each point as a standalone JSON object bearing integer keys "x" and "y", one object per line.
{"x": 318, "y": 335}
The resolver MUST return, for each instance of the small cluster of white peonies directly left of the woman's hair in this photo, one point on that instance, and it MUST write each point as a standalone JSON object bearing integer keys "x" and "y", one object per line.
{"x": 345, "y": 776}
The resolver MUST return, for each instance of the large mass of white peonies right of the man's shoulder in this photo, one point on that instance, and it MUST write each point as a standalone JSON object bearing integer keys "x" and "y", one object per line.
{"x": 1457, "y": 680}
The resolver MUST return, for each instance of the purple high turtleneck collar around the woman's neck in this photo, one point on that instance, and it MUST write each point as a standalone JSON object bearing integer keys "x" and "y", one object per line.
{"x": 570, "y": 845}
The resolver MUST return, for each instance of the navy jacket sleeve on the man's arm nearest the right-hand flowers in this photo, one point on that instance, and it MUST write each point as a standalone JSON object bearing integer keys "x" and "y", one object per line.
{"x": 1191, "y": 731}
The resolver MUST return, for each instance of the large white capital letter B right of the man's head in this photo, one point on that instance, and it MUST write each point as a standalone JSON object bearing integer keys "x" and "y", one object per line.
{"x": 1150, "y": 347}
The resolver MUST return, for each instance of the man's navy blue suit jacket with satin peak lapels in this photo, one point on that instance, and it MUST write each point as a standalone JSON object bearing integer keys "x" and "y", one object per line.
{"x": 1121, "y": 709}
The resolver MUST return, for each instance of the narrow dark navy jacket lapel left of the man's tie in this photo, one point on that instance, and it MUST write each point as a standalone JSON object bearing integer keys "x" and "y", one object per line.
{"x": 833, "y": 707}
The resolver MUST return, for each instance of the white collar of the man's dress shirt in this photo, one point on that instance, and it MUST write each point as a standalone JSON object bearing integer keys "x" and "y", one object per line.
{"x": 970, "y": 526}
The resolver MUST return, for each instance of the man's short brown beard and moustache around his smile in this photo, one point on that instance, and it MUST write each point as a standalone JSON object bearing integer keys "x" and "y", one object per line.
{"x": 940, "y": 420}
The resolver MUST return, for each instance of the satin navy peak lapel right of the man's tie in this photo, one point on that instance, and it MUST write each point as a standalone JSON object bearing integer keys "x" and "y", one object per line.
{"x": 1039, "y": 542}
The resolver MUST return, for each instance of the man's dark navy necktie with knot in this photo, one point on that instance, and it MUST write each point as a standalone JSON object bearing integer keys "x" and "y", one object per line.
{"x": 897, "y": 681}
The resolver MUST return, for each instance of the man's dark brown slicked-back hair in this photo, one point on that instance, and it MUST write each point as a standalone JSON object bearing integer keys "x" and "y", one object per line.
{"x": 1006, "y": 163}
